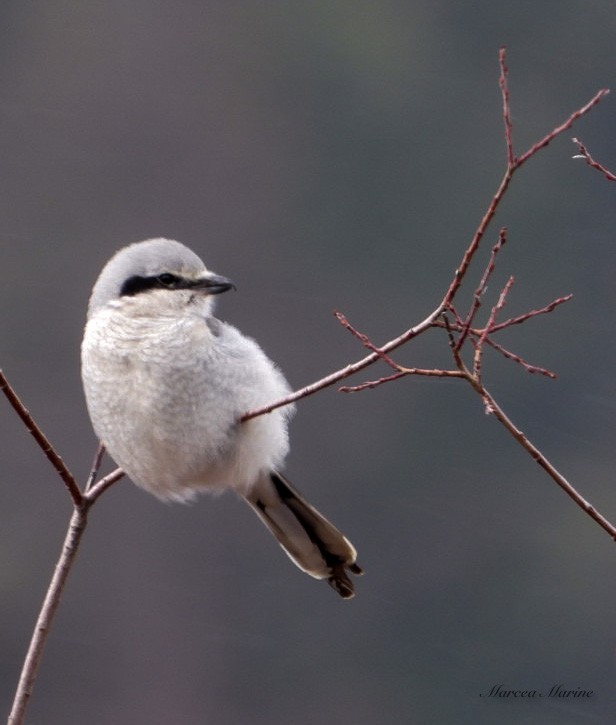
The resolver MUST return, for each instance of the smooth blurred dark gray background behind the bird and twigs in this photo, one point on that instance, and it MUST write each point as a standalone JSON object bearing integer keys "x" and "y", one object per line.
{"x": 324, "y": 155}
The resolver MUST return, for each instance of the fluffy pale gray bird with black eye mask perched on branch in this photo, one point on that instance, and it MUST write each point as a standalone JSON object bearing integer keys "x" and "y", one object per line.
{"x": 166, "y": 385}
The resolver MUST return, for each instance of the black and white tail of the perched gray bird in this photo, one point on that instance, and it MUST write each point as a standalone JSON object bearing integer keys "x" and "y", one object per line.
{"x": 310, "y": 540}
